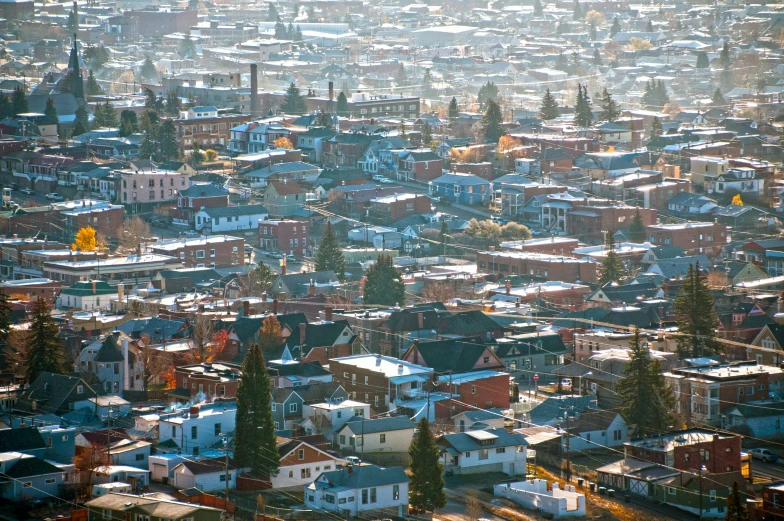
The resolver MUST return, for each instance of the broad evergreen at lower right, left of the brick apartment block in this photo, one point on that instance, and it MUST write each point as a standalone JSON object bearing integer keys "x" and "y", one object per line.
{"x": 646, "y": 398}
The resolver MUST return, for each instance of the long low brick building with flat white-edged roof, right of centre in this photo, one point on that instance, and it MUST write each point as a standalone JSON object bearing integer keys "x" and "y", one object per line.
{"x": 539, "y": 265}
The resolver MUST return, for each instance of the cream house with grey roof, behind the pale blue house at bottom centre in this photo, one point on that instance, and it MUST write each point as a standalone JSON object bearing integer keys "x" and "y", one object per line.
{"x": 392, "y": 434}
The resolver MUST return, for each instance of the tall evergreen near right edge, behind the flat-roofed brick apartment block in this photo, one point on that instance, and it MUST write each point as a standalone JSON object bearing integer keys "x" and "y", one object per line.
{"x": 696, "y": 316}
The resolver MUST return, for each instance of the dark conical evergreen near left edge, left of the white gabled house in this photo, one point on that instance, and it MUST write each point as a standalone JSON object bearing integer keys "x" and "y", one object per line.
{"x": 44, "y": 349}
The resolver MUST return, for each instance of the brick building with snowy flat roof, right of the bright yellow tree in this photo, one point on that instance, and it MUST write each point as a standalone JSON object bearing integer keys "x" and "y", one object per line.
{"x": 214, "y": 251}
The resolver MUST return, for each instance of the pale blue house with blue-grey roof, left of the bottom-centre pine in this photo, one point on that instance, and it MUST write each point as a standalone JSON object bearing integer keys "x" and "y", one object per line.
{"x": 359, "y": 488}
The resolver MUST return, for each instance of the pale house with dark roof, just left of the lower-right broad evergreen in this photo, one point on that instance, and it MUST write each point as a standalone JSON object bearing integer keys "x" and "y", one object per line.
{"x": 597, "y": 429}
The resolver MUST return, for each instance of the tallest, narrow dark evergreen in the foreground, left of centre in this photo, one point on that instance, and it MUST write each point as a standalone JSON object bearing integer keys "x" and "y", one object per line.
{"x": 254, "y": 435}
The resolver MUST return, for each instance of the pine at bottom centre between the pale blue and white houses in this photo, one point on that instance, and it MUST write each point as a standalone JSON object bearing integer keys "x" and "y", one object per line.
{"x": 426, "y": 489}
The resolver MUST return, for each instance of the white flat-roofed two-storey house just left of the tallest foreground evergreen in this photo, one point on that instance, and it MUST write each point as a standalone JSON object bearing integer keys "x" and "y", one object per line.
{"x": 197, "y": 427}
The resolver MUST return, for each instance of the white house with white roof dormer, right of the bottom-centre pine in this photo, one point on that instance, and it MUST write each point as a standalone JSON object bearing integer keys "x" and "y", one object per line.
{"x": 491, "y": 450}
